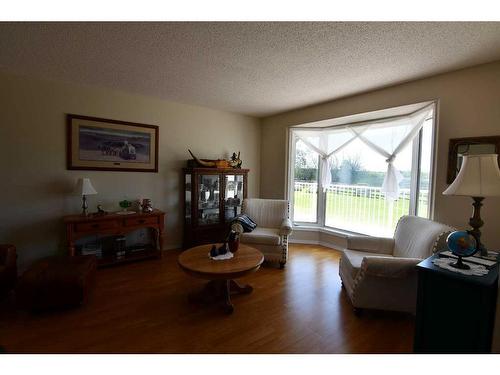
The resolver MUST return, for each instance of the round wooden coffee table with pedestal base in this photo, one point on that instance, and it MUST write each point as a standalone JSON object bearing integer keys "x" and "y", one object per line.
{"x": 221, "y": 273}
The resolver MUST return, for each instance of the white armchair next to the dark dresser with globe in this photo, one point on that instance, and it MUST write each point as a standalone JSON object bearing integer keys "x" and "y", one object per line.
{"x": 380, "y": 273}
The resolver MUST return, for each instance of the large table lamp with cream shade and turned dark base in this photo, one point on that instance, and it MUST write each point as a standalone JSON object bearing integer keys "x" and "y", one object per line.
{"x": 479, "y": 177}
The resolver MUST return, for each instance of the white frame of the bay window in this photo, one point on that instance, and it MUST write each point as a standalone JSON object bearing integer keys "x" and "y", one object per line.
{"x": 414, "y": 181}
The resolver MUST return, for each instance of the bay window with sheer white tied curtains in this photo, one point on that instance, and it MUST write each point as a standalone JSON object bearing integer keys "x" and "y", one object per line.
{"x": 363, "y": 176}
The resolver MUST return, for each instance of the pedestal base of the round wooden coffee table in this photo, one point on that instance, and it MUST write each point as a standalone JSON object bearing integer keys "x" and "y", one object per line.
{"x": 220, "y": 291}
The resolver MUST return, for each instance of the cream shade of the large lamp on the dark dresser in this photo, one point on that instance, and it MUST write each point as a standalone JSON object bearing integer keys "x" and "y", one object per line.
{"x": 479, "y": 176}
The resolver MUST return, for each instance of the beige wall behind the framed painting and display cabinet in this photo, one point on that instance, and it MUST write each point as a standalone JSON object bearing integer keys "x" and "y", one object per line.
{"x": 36, "y": 187}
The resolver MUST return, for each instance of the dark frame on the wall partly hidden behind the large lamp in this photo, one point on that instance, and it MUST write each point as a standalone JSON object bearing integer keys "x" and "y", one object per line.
{"x": 470, "y": 145}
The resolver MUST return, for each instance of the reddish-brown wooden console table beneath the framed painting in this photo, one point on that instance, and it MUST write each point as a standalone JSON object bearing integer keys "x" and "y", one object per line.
{"x": 78, "y": 226}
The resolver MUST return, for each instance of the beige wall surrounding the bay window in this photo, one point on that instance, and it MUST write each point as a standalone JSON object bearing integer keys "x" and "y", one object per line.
{"x": 469, "y": 105}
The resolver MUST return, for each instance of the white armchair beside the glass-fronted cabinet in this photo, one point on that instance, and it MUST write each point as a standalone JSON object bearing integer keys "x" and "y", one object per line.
{"x": 273, "y": 228}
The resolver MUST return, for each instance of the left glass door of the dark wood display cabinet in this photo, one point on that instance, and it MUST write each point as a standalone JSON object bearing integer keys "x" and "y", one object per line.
{"x": 208, "y": 199}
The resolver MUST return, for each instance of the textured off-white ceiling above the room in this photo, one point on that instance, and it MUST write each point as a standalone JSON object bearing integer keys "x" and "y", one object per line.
{"x": 252, "y": 68}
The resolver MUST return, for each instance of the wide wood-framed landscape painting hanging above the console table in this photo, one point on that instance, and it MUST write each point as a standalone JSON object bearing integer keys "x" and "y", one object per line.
{"x": 111, "y": 145}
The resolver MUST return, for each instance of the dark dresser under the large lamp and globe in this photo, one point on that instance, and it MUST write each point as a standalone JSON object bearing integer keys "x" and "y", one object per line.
{"x": 455, "y": 312}
